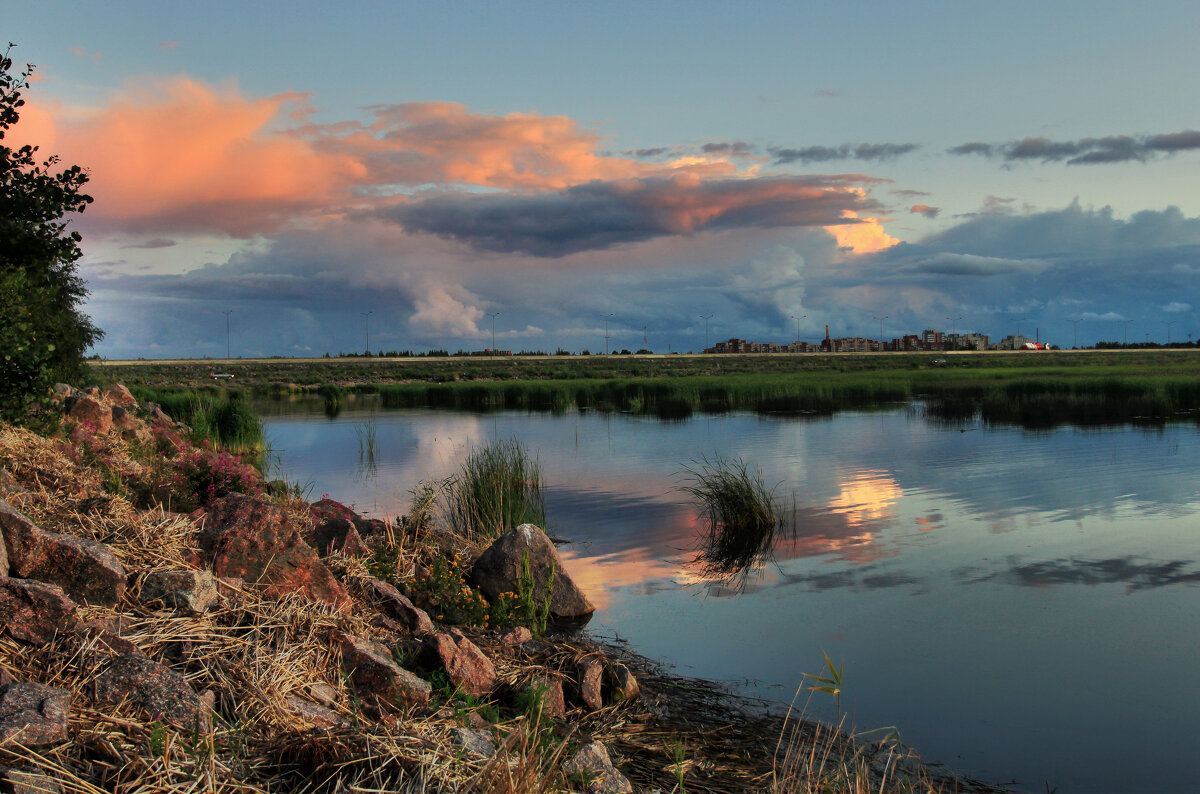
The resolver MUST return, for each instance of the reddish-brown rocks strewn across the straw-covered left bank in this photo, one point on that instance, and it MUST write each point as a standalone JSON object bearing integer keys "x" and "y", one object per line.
{"x": 49, "y": 580}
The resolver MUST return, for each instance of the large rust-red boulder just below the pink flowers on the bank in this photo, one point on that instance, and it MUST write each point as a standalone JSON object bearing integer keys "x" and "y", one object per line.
{"x": 255, "y": 540}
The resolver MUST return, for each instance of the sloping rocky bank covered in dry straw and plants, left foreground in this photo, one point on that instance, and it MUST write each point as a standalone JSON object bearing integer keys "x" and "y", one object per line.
{"x": 255, "y": 690}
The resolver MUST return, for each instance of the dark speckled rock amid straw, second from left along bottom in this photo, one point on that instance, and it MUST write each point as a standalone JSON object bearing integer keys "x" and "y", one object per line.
{"x": 159, "y": 691}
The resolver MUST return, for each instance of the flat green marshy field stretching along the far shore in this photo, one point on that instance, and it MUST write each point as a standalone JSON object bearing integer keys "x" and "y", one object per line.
{"x": 1031, "y": 389}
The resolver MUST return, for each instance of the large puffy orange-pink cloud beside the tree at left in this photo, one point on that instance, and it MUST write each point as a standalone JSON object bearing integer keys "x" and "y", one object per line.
{"x": 179, "y": 155}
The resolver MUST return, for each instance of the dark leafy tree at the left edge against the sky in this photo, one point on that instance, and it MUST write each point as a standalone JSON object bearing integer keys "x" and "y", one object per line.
{"x": 44, "y": 332}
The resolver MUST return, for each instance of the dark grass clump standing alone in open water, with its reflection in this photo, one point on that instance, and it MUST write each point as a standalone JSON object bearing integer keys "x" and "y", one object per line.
{"x": 740, "y": 514}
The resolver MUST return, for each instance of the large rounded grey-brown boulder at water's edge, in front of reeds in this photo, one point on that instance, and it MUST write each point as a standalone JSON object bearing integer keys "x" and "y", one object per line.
{"x": 497, "y": 569}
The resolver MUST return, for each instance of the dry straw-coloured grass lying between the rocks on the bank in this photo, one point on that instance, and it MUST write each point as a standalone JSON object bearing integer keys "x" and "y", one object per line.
{"x": 255, "y": 653}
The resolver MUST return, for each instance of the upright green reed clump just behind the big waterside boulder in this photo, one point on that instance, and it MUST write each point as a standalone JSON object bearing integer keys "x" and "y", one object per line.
{"x": 499, "y": 489}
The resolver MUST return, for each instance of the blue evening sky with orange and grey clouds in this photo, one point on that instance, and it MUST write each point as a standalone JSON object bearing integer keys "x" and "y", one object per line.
{"x": 298, "y": 178}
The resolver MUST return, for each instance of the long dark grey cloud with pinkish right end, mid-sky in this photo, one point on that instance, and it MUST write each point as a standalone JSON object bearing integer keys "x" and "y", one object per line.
{"x": 601, "y": 215}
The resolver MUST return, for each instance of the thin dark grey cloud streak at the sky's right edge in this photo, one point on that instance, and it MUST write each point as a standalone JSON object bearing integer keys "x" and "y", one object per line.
{"x": 1087, "y": 152}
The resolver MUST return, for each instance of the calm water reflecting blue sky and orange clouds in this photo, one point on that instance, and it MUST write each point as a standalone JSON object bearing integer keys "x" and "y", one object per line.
{"x": 1021, "y": 606}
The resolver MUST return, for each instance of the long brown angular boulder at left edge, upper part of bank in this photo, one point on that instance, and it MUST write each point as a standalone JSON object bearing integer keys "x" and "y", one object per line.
{"x": 86, "y": 570}
